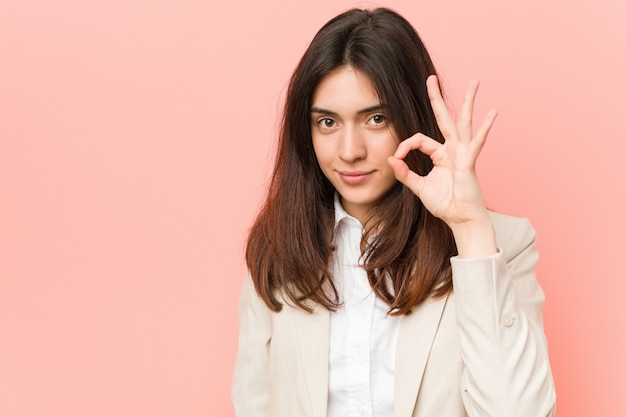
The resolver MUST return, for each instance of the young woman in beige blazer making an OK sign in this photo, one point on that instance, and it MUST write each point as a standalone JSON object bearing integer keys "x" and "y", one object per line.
{"x": 379, "y": 283}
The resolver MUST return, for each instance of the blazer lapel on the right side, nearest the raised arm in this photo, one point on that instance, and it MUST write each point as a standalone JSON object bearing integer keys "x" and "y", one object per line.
{"x": 415, "y": 338}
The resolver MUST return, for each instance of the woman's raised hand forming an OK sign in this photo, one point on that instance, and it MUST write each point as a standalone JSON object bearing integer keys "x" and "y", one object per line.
{"x": 451, "y": 191}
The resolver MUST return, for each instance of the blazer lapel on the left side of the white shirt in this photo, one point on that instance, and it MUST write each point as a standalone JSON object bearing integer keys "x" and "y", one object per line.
{"x": 313, "y": 334}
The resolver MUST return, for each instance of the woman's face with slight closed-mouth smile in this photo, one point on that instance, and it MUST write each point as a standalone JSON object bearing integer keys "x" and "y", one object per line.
{"x": 352, "y": 139}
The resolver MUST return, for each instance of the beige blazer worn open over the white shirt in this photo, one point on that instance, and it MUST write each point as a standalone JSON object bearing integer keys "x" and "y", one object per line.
{"x": 480, "y": 351}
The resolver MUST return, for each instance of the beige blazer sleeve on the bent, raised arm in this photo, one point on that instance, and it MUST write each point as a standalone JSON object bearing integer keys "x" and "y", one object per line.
{"x": 504, "y": 350}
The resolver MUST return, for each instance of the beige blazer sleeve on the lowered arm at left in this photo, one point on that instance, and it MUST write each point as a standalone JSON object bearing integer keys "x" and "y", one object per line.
{"x": 250, "y": 385}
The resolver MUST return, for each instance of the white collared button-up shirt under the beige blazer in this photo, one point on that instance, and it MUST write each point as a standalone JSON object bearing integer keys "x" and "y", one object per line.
{"x": 363, "y": 337}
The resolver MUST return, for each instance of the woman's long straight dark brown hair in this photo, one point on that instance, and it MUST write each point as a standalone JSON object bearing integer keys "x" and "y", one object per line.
{"x": 290, "y": 244}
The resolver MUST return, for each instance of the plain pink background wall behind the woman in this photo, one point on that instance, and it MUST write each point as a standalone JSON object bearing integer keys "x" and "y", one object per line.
{"x": 135, "y": 142}
